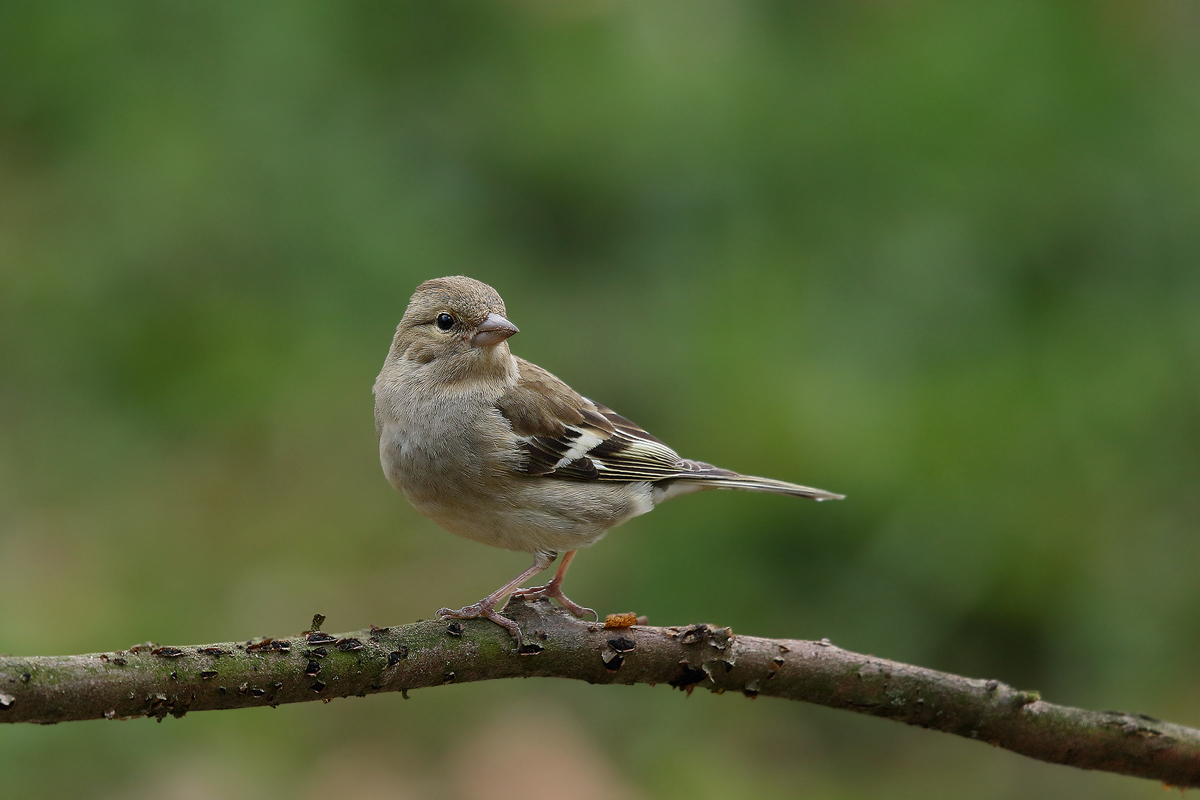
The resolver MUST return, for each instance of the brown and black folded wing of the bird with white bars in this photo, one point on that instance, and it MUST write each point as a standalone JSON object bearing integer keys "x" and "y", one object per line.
{"x": 563, "y": 435}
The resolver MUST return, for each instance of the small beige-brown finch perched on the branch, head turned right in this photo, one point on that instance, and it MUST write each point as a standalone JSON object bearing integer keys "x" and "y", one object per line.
{"x": 500, "y": 452}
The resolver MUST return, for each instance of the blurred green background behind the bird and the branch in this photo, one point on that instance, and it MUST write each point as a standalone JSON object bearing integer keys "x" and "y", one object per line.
{"x": 941, "y": 257}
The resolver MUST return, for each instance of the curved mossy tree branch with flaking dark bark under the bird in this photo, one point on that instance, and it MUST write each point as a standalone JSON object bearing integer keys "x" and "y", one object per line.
{"x": 151, "y": 681}
